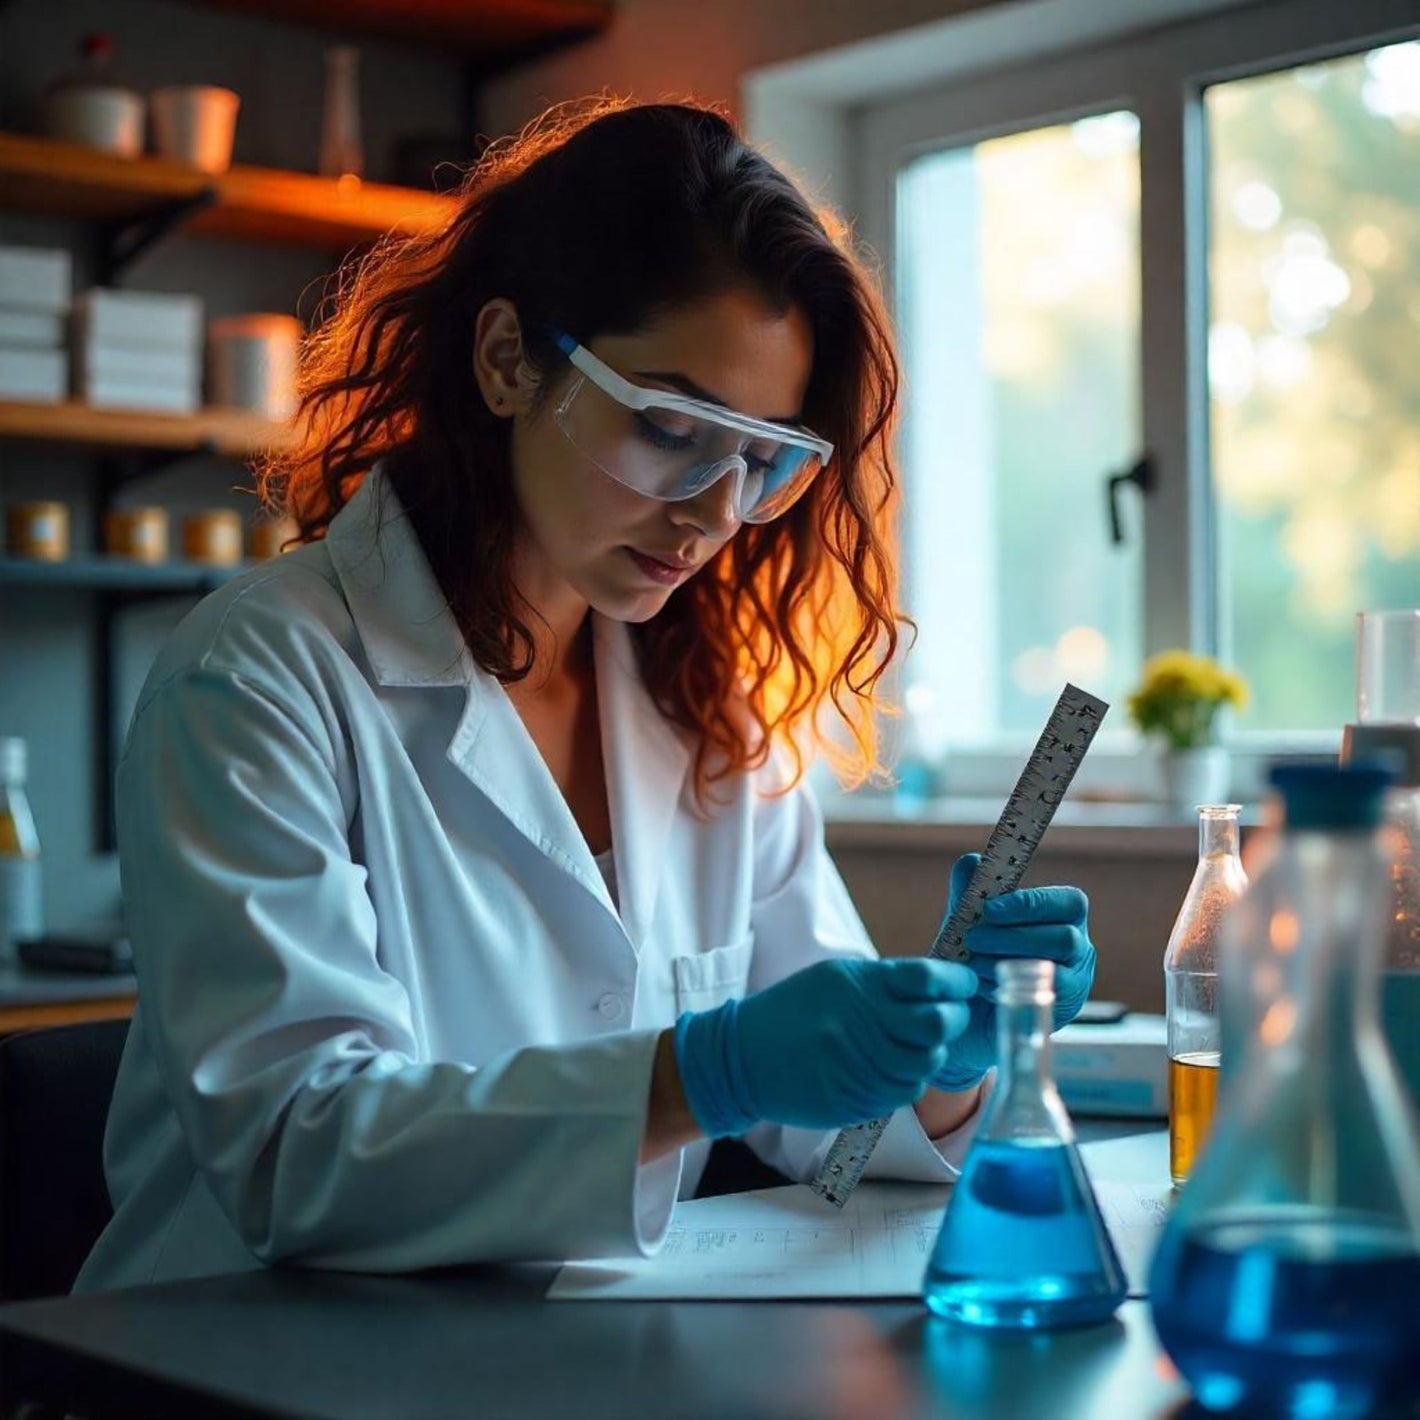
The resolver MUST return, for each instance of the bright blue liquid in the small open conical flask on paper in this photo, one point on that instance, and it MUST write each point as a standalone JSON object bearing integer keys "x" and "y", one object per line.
{"x": 1023, "y": 1243}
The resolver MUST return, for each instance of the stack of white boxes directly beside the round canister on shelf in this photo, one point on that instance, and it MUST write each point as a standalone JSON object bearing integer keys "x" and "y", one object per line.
{"x": 138, "y": 350}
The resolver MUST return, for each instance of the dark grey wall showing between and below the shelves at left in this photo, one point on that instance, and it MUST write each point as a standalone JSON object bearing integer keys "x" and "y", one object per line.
{"x": 46, "y": 692}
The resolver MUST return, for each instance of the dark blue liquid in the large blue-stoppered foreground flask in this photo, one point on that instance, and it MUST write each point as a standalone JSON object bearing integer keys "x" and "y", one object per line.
{"x": 1291, "y": 1316}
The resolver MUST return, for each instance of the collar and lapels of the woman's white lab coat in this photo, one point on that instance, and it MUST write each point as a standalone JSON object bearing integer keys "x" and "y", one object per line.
{"x": 413, "y": 640}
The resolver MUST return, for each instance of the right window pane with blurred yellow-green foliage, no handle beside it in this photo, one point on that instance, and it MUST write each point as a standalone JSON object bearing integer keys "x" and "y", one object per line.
{"x": 1314, "y": 275}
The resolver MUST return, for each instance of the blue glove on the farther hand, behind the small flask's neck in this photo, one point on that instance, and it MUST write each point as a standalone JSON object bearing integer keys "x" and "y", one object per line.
{"x": 1044, "y": 924}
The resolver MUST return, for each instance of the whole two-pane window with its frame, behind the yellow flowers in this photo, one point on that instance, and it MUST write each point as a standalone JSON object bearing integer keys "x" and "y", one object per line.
{"x": 1202, "y": 244}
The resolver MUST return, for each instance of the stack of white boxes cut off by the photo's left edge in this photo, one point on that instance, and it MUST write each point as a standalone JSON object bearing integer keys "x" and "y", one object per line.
{"x": 36, "y": 286}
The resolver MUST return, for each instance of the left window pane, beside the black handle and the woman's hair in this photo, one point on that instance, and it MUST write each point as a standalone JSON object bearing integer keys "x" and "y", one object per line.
{"x": 1019, "y": 312}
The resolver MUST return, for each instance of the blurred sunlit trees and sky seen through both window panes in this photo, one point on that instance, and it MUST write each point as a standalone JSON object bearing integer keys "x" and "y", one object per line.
{"x": 1314, "y": 255}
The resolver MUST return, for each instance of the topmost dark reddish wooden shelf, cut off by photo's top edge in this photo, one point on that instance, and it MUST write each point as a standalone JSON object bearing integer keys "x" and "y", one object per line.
{"x": 495, "y": 32}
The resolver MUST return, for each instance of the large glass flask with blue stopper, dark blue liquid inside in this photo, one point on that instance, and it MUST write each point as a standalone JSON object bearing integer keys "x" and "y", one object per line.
{"x": 1286, "y": 1280}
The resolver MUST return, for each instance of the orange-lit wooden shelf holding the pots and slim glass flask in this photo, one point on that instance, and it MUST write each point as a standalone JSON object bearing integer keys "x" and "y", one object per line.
{"x": 252, "y": 204}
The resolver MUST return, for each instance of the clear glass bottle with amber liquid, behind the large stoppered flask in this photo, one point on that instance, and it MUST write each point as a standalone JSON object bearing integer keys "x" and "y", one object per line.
{"x": 1191, "y": 973}
